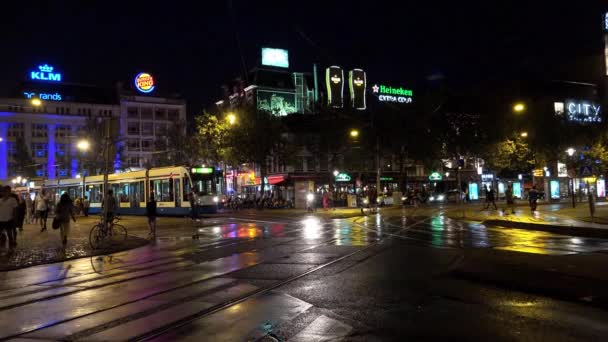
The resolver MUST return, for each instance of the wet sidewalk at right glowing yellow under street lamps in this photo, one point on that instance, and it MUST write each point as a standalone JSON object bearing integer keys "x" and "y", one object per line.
{"x": 555, "y": 218}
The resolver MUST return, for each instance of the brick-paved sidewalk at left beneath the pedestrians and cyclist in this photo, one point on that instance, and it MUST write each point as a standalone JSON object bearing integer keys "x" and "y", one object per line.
{"x": 35, "y": 247}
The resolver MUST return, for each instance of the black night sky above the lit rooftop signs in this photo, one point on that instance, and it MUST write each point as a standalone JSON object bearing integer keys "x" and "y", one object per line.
{"x": 191, "y": 47}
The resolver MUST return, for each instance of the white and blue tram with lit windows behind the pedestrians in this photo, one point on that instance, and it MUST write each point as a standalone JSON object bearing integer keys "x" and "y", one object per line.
{"x": 170, "y": 186}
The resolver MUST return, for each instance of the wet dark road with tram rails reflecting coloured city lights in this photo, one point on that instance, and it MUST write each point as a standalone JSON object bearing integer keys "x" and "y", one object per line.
{"x": 301, "y": 278}
